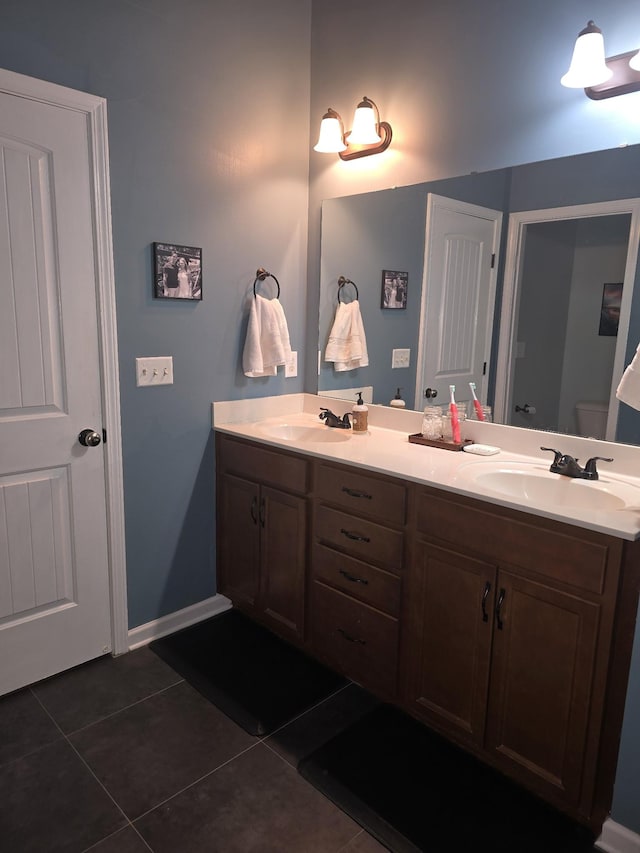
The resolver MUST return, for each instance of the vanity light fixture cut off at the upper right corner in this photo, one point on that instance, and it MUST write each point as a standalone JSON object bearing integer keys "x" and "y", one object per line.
{"x": 599, "y": 76}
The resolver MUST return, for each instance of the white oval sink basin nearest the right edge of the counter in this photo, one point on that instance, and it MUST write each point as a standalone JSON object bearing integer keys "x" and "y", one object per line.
{"x": 536, "y": 485}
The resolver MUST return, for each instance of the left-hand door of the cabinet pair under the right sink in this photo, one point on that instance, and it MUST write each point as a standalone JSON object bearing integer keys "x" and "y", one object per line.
{"x": 449, "y": 641}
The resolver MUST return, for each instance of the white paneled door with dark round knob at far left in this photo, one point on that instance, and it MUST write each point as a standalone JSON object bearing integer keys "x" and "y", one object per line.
{"x": 54, "y": 569}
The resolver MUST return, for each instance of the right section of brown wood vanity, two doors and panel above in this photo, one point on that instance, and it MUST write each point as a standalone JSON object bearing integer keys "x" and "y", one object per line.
{"x": 509, "y": 633}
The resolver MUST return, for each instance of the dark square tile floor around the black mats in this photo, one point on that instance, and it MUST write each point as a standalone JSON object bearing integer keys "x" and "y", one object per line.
{"x": 123, "y": 756}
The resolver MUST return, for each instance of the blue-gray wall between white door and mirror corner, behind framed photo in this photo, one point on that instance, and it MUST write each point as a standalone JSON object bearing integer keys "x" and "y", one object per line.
{"x": 208, "y": 133}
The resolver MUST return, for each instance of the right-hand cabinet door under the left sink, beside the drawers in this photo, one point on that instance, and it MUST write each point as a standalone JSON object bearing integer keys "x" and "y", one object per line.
{"x": 283, "y": 550}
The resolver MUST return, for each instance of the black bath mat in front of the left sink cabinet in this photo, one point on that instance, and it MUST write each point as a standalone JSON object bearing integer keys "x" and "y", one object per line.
{"x": 254, "y": 677}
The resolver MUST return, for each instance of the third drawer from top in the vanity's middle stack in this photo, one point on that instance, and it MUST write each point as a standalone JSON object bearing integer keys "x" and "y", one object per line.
{"x": 373, "y": 586}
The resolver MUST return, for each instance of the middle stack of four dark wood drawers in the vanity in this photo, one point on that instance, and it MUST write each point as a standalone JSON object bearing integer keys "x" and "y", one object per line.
{"x": 357, "y": 561}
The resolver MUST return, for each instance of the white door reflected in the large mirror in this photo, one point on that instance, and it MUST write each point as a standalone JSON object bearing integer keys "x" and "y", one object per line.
{"x": 458, "y": 297}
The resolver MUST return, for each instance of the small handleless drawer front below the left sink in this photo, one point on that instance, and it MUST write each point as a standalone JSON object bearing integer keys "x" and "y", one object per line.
{"x": 271, "y": 467}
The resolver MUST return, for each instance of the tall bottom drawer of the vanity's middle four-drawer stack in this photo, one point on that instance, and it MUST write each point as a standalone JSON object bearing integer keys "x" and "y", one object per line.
{"x": 358, "y": 640}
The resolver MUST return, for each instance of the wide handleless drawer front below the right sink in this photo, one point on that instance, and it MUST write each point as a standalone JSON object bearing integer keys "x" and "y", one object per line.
{"x": 558, "y": 551}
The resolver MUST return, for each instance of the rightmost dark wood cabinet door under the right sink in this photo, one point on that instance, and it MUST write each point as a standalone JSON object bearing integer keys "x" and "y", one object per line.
{"x": 541, "y": 684}
